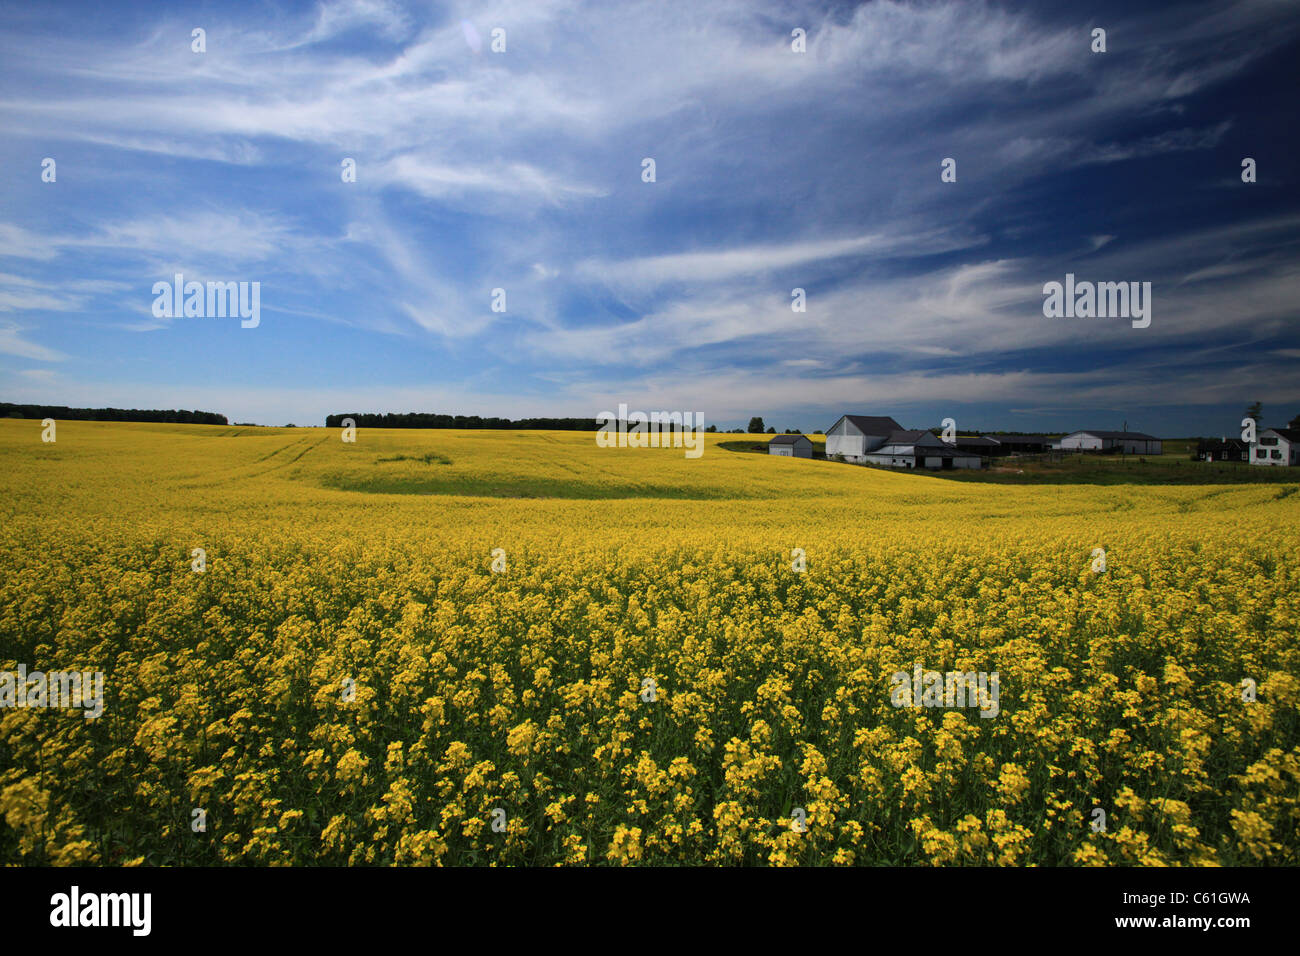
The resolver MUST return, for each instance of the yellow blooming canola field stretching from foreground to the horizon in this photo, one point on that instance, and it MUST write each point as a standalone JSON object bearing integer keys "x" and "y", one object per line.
{"x": 648, "y": 680}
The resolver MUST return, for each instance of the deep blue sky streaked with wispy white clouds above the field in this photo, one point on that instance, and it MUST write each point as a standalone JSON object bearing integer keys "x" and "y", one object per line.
{"x": 523, "y": 171}
